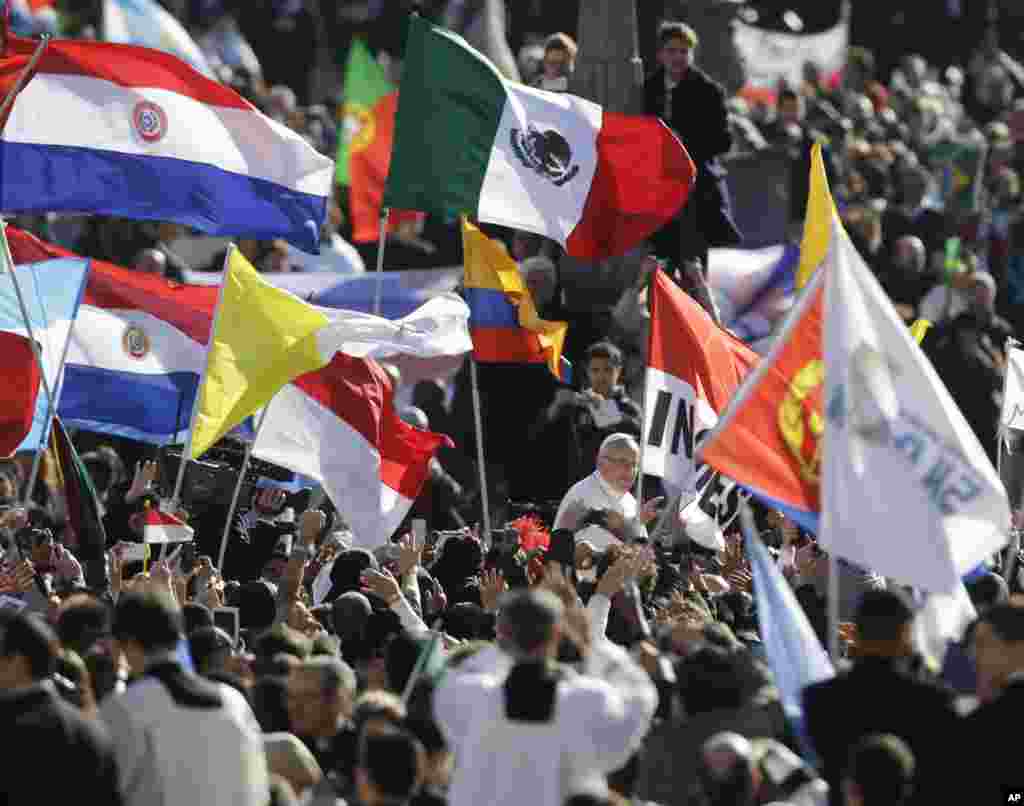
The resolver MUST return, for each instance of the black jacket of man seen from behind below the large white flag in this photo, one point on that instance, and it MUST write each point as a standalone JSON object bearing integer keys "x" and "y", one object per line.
{"x": 878, "y": 696}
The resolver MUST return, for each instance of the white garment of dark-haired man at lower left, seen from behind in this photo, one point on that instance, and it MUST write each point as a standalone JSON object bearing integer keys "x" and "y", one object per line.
{"x": 169, "y": 755}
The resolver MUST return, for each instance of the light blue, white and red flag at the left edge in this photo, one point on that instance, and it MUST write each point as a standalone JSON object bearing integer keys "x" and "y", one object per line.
{"x": 52, "y": 291}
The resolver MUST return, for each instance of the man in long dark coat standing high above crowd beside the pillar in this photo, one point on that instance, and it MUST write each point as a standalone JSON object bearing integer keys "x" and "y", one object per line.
{"x": 694, "y": 106}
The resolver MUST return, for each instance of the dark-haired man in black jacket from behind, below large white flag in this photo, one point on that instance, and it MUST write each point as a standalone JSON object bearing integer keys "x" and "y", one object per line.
{"x": 880, "y": 695}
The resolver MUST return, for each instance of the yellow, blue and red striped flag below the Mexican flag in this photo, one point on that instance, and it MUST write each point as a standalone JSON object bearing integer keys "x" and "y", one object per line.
{"x": 504, "y": 323}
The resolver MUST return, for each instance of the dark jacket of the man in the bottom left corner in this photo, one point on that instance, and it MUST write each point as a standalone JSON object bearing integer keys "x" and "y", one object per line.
{"x": 48, "y": 736}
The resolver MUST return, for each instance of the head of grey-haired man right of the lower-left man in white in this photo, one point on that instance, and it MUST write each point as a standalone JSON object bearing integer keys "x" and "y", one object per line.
{"x": 321, "y": 696}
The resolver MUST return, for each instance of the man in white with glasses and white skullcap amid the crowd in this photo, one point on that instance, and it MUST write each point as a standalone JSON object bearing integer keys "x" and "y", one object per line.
{"x": 601, "y": 508}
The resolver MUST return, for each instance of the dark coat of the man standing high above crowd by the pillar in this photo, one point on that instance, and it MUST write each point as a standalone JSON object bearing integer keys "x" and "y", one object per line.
{"x": 701, "y": 120}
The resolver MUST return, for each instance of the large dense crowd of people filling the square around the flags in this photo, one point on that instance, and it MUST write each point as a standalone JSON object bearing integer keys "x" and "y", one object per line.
{"x": 586, "y": 649}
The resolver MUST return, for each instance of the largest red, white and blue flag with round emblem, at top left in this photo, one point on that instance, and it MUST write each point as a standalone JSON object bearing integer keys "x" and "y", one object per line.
{"x": 152, "y": 139}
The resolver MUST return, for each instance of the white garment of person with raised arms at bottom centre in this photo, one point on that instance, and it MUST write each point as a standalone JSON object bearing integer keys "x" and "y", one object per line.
{"x": 600, "y": 720}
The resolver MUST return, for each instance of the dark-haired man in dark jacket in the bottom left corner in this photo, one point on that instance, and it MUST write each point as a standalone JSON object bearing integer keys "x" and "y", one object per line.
{"x": 42, "y": 730}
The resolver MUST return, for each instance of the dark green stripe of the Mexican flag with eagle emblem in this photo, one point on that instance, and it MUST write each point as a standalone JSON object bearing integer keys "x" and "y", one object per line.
{"x": 449, "y": 112}
